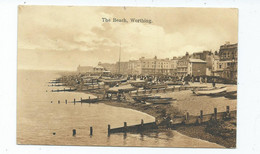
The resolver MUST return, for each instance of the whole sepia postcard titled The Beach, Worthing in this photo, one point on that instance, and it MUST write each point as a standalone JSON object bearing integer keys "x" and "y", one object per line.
{"x": 127, "y": 76}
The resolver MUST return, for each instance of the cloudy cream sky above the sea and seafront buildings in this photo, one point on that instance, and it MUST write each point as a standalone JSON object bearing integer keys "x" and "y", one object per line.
{"x": 63, "y": 37}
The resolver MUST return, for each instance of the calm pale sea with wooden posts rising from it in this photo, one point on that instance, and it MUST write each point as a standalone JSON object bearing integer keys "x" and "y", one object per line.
{"x": 38, "y": 119}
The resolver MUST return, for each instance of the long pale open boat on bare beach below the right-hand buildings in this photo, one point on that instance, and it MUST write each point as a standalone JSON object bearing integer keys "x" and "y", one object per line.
{"x": 210, "y": 91}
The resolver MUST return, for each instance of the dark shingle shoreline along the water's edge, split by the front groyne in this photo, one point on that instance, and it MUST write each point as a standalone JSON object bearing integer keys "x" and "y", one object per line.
{"x": 202, "y": 131}
